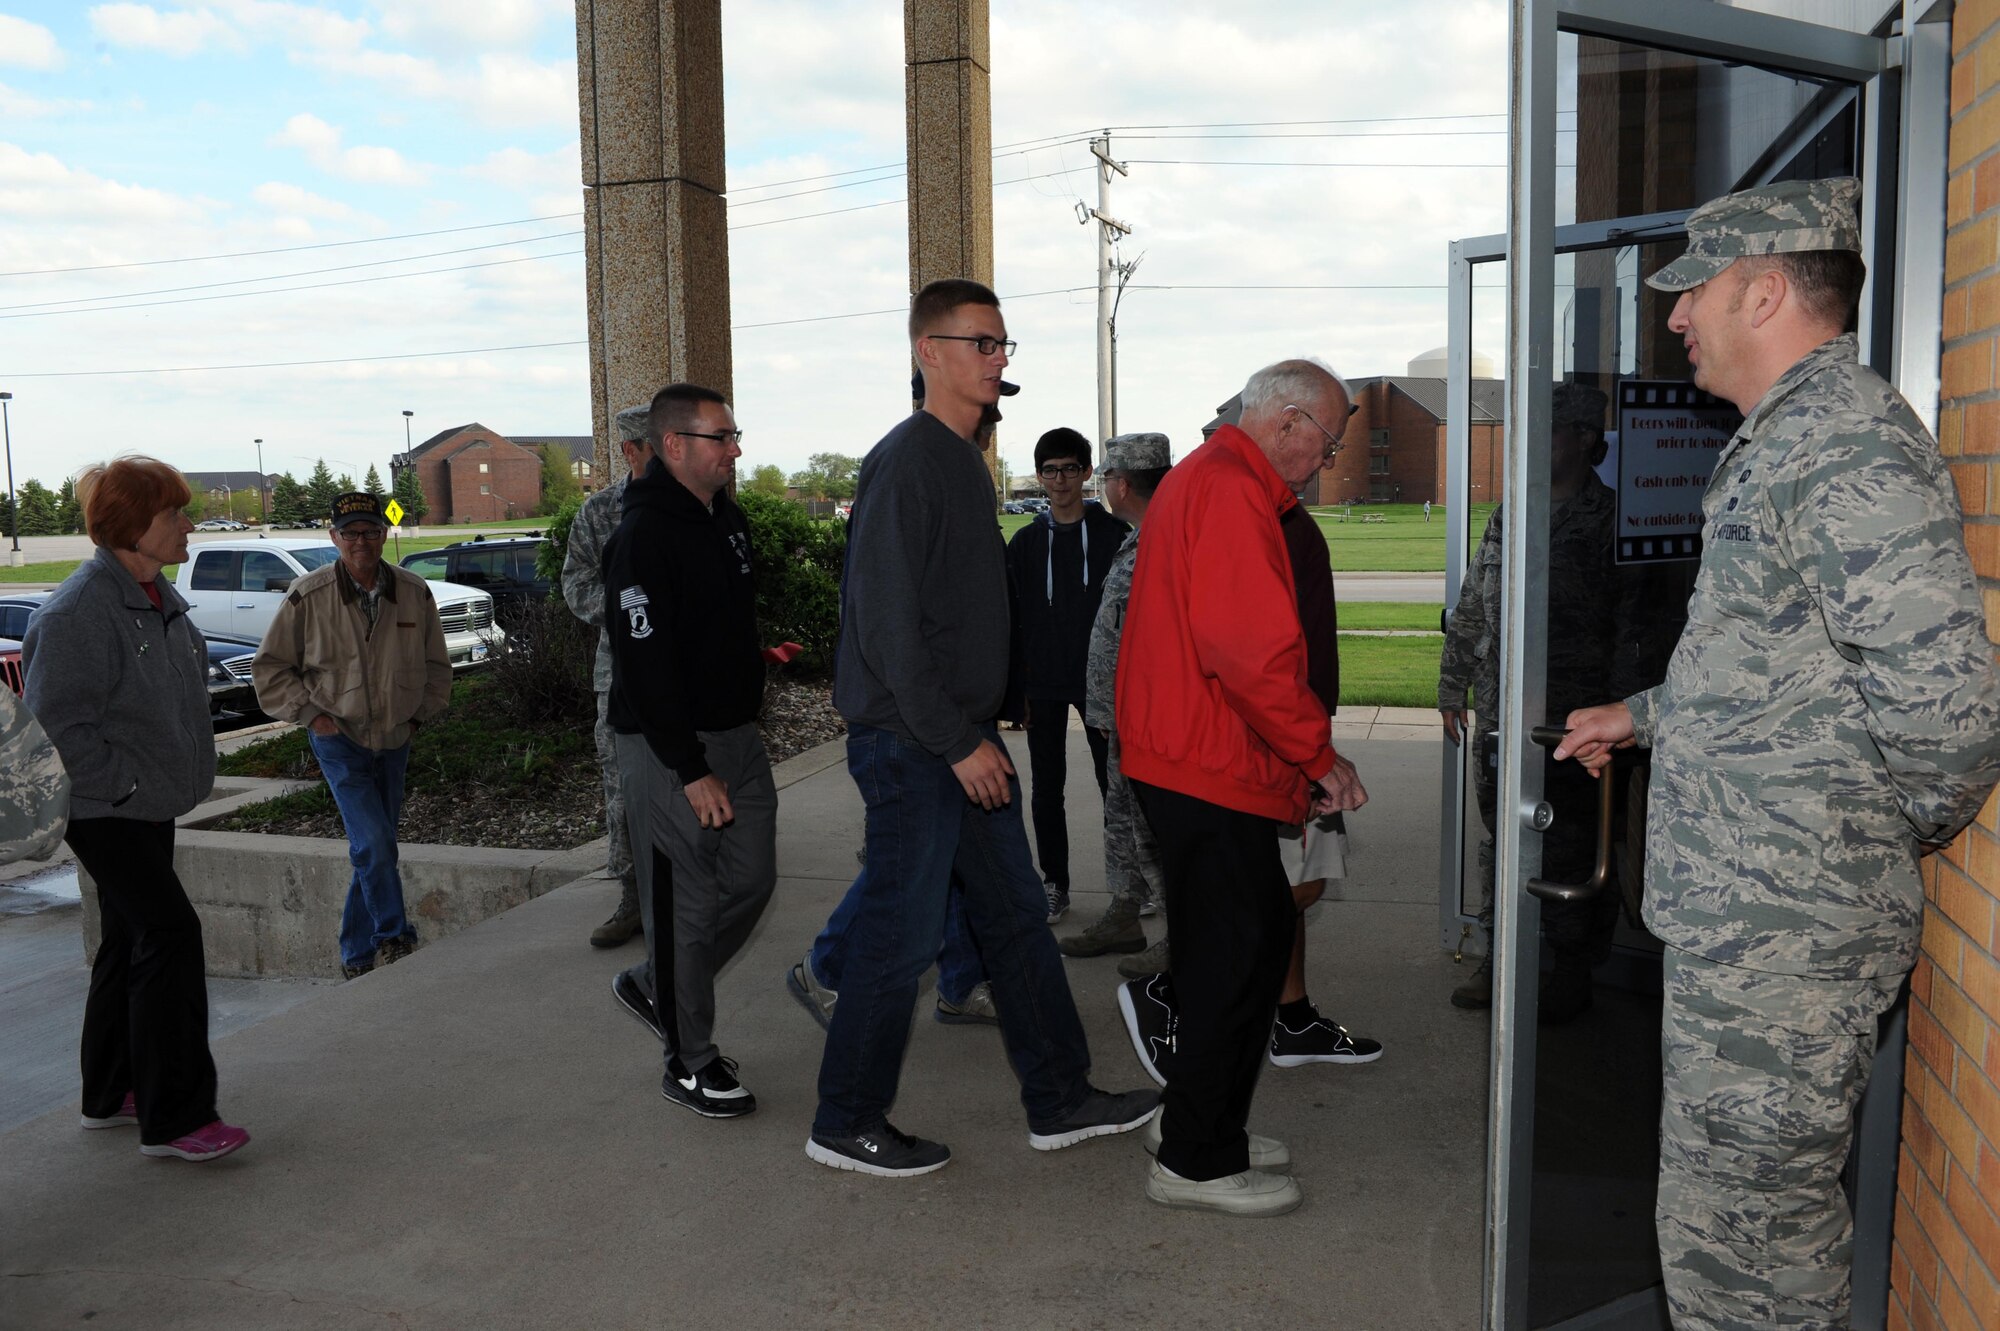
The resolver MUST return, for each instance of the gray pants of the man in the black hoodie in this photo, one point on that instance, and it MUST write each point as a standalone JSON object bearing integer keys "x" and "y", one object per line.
{"x": 701, "y": 890}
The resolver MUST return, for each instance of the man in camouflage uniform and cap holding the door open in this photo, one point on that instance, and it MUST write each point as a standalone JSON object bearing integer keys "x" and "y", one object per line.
{"x": 1831, "y": 716}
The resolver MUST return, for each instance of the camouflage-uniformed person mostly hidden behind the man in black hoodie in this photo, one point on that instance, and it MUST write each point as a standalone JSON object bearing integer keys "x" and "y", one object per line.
{"x": 583, "y": 593}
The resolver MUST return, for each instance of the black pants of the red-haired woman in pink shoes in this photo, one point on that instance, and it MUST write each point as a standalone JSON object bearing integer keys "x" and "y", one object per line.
{"x": 147, "y": 1016}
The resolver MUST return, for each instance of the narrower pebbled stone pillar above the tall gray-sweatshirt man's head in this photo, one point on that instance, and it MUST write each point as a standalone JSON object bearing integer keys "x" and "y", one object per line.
{"x": 951, "y": 143}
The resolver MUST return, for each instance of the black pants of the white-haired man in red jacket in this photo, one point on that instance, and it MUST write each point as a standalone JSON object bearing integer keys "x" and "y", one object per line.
{"x": 1233, "y": 922}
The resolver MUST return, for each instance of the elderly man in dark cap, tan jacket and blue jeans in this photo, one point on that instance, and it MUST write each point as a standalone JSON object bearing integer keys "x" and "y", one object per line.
{"x": 357, "y": 657}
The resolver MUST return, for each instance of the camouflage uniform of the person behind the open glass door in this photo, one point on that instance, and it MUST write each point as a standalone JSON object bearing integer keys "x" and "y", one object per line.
{"x": 1585, "y": 617}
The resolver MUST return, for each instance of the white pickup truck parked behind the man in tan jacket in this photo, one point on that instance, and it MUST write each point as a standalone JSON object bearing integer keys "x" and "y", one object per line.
{"x": 235, "y": 589}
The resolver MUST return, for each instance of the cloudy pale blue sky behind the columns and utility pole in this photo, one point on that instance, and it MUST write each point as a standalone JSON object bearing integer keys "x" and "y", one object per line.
{"x": 289, "y": 221}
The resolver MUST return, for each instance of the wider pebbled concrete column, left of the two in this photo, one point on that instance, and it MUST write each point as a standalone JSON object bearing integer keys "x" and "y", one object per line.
{"x": 655, "y": 227}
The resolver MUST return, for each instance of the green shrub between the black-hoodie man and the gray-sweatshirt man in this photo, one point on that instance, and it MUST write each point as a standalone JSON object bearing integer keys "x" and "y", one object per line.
{"x": 799, "y": 563}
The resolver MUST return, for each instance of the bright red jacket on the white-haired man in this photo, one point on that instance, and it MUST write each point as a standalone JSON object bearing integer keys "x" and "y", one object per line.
{"x": 1213, "y": 696}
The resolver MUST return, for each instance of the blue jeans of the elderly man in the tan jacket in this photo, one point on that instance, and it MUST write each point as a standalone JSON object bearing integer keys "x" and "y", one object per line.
{"x": 369, "y": 790}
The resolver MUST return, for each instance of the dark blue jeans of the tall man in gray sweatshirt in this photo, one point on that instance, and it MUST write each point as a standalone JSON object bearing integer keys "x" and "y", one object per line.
{"x": 921, "y": 830}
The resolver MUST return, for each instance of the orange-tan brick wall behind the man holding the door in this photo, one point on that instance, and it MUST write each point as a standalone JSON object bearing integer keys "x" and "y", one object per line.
{"x": 1949, "y": 1186}
